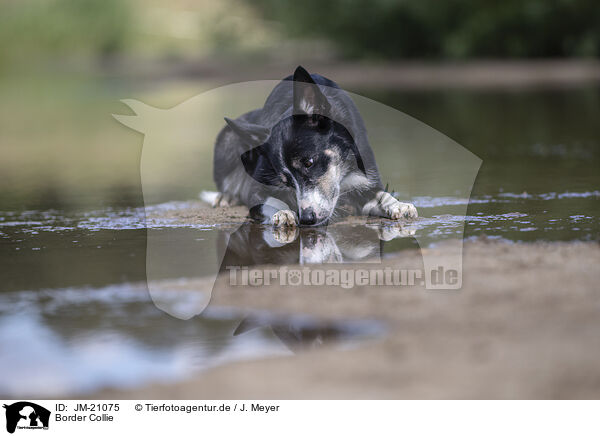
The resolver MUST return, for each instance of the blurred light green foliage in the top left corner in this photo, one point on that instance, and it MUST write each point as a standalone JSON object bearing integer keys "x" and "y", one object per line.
{"x": 32, "y": 30}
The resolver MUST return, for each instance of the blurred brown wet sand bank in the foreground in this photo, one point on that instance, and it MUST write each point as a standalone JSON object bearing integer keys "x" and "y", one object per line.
{"x": 525, "y": 324}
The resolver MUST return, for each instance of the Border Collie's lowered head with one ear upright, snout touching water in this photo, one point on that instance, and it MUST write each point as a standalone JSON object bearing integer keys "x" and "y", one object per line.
{"x": 308, "y": 153}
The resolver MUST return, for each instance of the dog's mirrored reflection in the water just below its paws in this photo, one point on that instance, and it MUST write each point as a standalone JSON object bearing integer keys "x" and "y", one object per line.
{"x": 254, "y": 244}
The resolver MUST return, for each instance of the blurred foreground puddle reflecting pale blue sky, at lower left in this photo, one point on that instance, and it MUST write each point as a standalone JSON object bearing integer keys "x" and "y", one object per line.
{"x": 77, "y": 341}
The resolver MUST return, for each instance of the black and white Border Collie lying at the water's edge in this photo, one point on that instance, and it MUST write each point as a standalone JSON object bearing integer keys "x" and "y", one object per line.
{"x": 307, "y": 154}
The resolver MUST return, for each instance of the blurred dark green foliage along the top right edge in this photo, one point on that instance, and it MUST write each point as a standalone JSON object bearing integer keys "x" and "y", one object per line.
{"x": 444, "y": 28}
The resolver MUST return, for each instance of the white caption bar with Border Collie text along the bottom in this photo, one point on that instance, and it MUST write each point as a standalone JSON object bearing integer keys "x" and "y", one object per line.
{"x": 316, "y": 417}
